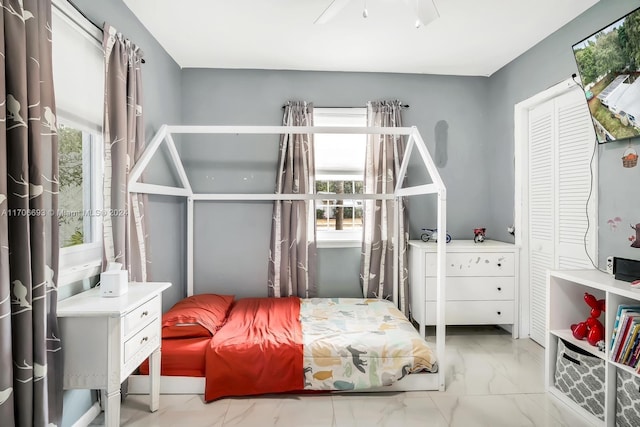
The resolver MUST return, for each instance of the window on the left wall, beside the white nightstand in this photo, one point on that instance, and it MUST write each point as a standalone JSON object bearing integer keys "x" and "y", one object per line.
{"x": 78, "y": 76}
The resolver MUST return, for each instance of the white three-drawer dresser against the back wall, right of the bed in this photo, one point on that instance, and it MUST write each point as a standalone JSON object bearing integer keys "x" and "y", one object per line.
{"x": 481, "y": 284}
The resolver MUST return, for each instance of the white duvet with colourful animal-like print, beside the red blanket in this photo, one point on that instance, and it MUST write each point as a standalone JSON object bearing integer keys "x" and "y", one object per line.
{"x": 353, "y": 343}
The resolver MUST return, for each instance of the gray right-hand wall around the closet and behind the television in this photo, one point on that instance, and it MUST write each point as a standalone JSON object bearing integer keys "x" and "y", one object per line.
{"x": 546, "y": 64}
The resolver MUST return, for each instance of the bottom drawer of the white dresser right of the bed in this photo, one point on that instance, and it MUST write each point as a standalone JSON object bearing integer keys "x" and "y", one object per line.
{"x": 473, "y": 313}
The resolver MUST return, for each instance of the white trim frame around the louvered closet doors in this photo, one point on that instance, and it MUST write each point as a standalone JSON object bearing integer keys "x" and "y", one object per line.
{"x": 521, "y": 196}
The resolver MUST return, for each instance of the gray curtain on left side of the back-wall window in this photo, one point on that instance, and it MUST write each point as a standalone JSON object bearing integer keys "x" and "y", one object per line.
{"x": 292, "y": 254}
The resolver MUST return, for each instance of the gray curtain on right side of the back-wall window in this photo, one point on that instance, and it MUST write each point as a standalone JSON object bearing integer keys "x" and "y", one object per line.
{"x": 384, "y": 154}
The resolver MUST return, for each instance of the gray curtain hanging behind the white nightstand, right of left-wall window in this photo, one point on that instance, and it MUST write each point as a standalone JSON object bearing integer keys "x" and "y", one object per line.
{"x": 125, "y": 235}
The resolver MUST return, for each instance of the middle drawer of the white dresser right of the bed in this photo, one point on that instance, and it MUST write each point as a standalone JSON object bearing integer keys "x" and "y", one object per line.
{"x": 474, "y": 288}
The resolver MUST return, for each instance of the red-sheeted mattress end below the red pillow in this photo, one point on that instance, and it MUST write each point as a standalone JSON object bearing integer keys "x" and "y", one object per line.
{"x": 181, "y": 357}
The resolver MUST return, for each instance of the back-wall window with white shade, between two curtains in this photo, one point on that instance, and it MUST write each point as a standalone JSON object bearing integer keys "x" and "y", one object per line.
{"x": 339, "y": 170}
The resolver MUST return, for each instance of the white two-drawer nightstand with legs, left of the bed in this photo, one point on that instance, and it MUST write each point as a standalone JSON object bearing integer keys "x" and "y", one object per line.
{"x": 106, "y": 338}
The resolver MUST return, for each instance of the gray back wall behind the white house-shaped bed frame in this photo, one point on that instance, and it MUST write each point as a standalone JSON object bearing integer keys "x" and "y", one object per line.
{"x": 233, "y": 238}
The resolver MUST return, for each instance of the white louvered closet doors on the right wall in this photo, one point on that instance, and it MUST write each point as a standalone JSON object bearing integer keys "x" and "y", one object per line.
{"x": 561, "y": 143}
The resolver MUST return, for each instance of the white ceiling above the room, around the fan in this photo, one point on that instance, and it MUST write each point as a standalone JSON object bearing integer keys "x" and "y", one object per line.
{"x": 471, "y": 37}
